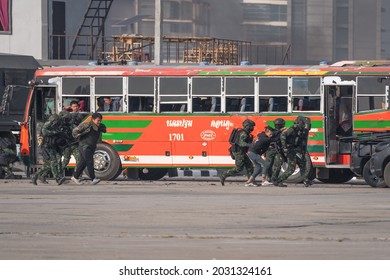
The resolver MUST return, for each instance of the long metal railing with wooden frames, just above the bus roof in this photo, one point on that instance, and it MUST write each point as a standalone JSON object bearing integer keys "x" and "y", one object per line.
{"x": 175, "y": 50}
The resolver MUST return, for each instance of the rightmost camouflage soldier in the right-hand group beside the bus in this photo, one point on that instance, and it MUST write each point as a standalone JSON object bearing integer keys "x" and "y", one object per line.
{"x": 294, "y": 141}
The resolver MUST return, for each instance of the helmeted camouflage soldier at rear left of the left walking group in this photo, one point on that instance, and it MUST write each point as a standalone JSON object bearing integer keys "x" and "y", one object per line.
{"x": 52, "y": 141}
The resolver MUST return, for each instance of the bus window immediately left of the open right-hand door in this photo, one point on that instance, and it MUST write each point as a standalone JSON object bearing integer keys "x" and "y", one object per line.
{"x": 306, "y": 94}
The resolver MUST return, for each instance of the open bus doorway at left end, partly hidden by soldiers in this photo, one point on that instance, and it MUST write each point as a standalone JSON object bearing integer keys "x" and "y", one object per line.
{"x": 43, "y": 104}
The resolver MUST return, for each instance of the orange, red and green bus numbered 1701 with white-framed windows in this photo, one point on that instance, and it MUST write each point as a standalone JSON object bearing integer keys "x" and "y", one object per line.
{"x": 181, "y": 116}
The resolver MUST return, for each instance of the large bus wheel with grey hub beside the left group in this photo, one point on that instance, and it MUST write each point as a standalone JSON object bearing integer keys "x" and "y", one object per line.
{"x": 106, "y": 162}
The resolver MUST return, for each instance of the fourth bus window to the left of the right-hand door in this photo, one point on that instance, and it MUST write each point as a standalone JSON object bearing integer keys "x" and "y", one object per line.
{"x": 206, "y": 94}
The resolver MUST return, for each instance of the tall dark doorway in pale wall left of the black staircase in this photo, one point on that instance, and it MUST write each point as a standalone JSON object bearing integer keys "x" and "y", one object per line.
{"x": 58, "y": 37}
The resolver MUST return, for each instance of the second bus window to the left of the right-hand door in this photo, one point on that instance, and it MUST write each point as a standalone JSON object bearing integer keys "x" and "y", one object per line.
{"x": 273, "y": 94}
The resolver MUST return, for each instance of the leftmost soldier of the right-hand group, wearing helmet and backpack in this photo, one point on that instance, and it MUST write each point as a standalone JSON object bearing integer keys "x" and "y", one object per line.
{"x": 242, "y": 160}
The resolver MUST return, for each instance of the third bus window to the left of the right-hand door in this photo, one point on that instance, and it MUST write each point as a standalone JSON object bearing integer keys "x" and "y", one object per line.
{"x": 240, "y": 92}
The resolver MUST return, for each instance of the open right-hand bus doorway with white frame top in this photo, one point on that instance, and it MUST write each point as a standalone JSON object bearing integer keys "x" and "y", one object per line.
{"x": 338, "y": 117}
